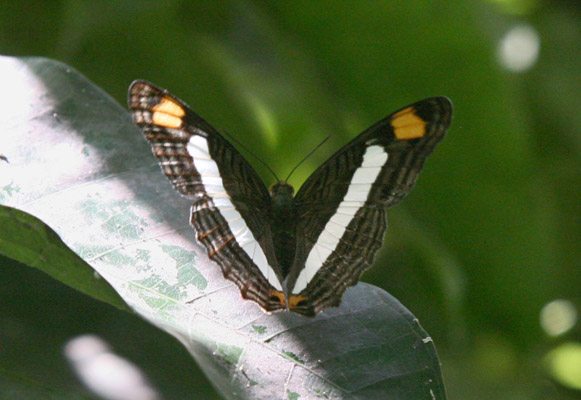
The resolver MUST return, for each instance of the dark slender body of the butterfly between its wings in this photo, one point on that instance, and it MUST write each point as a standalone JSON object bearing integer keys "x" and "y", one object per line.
{"x": 283, "y": 214}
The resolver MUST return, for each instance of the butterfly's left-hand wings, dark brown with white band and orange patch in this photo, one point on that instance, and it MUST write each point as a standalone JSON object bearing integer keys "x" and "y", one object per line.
{"x": 231, "y": 204}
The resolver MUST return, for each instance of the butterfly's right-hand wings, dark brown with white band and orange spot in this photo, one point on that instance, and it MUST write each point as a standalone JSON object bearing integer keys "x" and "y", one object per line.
{"x": 342, "y": 205}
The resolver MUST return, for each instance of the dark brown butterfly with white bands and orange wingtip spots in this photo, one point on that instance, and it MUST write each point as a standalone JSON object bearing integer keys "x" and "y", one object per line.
{"x": 290, "y": 253}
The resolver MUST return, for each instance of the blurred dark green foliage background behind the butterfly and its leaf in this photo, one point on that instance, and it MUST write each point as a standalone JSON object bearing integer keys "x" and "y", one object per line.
{"x": 489, "y": 235}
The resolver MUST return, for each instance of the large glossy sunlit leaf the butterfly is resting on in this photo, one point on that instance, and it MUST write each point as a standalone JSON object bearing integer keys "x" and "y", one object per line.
{"x": 76, "y": 161}
